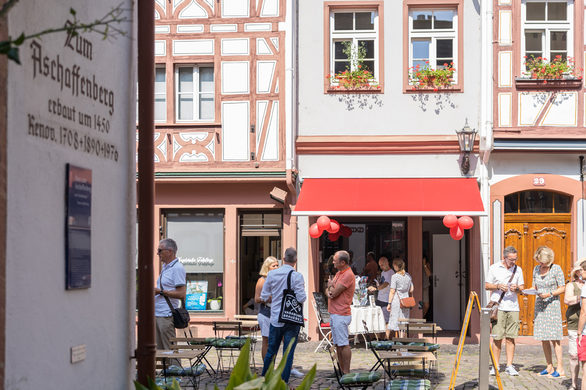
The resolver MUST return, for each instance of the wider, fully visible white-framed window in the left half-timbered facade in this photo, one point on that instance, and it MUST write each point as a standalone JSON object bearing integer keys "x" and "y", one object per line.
{"x": 194, "y": 93}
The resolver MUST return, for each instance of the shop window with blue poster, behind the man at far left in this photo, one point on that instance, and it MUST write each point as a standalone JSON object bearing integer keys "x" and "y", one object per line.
{"x": 200, "y": 240}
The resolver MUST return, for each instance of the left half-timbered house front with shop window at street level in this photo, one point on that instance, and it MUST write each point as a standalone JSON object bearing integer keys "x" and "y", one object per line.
{"x": 223, "y": 143}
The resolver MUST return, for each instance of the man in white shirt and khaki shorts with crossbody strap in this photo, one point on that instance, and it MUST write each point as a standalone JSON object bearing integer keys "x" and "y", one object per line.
{"x": 499, "y": 281}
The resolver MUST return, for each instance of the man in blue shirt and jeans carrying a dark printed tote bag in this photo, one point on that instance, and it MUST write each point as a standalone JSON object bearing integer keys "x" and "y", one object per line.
{"x": 274, "y": 285}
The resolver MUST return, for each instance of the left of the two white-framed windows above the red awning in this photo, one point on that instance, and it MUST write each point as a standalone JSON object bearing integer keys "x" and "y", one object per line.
{"x": 358, "y": 31}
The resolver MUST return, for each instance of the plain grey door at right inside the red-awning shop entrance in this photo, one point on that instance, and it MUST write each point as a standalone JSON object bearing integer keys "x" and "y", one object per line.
{"x": 446, "y": 282}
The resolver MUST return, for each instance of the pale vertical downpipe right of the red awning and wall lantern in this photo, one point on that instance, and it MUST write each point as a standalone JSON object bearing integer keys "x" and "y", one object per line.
{"x": 486, "y": 135}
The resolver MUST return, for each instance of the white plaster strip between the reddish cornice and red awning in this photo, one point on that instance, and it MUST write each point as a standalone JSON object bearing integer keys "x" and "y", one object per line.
{"x": 381, "y": 166}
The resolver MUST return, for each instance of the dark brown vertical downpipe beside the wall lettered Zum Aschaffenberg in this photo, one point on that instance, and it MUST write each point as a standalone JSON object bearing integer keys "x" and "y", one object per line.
{"x": 145, "y": 351}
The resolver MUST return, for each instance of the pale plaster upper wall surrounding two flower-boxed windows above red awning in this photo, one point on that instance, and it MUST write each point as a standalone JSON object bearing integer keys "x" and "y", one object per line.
{"x": 393, "y": 112}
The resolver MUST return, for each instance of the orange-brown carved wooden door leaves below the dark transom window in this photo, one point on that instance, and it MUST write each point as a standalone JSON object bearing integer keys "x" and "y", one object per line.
{"x": 527, "y": 232}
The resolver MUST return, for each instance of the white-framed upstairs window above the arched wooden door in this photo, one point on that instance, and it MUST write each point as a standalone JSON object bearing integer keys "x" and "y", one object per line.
{"x": 547, "y": 28}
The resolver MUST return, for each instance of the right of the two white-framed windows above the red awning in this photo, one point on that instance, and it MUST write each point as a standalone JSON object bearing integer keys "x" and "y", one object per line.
{"x": 433, "y": 38}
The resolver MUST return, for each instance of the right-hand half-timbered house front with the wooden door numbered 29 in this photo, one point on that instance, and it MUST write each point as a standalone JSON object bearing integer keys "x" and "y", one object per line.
{"x": 537, "y": 188}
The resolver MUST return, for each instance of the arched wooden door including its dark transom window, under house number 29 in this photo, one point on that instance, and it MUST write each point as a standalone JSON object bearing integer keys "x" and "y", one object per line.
{"x": 534, "y": 219}
